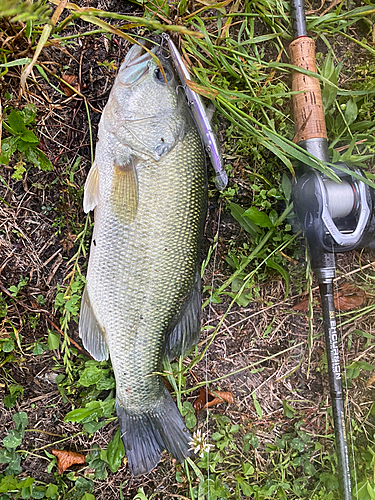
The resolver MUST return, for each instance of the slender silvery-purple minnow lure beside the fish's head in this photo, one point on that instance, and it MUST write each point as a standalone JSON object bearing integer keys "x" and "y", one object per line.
{"x": 200, "y": 117}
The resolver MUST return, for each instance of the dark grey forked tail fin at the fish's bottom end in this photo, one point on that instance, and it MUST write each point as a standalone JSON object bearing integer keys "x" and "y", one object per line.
{"x": 146, "y": 435}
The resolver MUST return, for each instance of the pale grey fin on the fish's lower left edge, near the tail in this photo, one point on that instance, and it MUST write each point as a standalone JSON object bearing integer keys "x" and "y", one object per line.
{"x": 91, "y": 333}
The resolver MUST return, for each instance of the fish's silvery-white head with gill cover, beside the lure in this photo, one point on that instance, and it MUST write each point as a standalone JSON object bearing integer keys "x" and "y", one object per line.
{"x": 145, "y": 111}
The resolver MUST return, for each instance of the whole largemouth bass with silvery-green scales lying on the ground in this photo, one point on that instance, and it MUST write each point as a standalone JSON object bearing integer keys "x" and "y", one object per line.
{"x": 142, "y": 298}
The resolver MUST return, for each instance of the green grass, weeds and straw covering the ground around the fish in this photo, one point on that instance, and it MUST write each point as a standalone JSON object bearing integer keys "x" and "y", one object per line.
{"x": 277, "y": 440}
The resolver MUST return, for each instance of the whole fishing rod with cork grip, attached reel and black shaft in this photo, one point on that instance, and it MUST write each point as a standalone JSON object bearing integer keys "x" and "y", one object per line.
{"x": 336, "y": 216}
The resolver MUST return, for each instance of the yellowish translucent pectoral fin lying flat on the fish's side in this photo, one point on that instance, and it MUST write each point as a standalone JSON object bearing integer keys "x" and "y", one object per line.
{"x": 124, "y": 191}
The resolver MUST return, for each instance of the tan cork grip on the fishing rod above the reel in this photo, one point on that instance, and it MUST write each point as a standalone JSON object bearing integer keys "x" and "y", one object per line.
{"x": 308, "y": 112}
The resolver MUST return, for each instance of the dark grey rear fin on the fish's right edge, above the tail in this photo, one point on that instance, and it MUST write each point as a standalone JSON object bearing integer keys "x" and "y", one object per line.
{"x": 186, "y": 331}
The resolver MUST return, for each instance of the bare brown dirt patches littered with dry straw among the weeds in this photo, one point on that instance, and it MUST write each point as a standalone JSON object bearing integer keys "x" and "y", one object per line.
{"x": 39, "y": 217}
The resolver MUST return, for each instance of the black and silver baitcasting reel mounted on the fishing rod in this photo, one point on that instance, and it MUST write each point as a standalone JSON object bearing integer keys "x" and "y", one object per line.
{"x": 336, "y": 216}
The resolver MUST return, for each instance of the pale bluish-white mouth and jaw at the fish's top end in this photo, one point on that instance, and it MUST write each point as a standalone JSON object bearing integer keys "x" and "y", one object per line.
{"x": 135, "y": 65}
